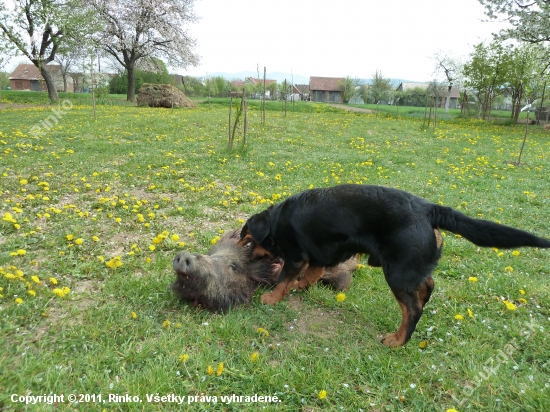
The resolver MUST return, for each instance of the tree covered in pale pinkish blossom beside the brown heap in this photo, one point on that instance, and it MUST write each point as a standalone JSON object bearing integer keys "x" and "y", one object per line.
{"x": 135, "y": 30}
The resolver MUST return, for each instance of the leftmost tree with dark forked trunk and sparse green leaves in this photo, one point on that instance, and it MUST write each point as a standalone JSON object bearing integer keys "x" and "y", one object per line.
{"x": 37, "y": 29}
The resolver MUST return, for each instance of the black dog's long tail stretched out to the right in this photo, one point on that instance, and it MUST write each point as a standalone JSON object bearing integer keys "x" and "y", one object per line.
{"x": 482, "y": 232}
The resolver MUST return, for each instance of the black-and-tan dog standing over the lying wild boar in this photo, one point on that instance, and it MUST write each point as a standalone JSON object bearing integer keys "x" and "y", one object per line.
{"x": 323, "y": 227}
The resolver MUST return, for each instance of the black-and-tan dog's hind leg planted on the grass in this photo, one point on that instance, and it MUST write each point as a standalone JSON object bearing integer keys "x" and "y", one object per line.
{"x": 412, "y": 304}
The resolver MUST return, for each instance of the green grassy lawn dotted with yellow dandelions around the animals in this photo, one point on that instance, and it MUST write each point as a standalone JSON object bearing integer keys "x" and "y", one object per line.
{"x": 92, "y": 214}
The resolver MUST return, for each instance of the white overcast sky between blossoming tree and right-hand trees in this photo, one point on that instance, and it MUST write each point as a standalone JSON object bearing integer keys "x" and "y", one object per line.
{"x": 335, "y": 38}
